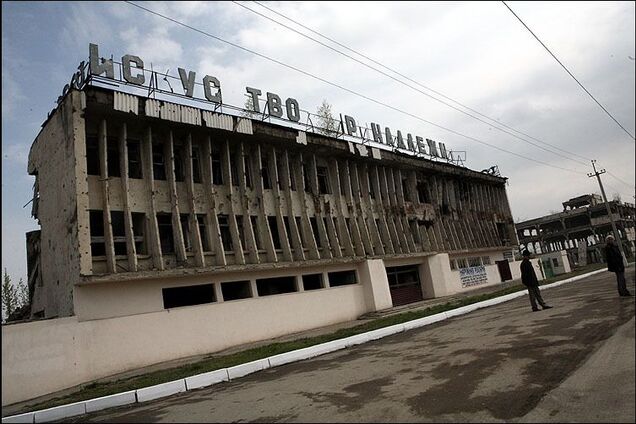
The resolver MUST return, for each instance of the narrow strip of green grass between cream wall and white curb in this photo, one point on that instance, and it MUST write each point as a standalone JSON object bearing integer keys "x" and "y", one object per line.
{"x": 211, "y": 363}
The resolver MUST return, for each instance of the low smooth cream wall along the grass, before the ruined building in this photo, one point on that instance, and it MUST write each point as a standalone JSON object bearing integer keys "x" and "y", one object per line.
{"x": 45, "y": 356}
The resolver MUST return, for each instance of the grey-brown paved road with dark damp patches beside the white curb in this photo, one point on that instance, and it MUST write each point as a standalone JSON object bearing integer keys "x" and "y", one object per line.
{"x": 574, "y": 362}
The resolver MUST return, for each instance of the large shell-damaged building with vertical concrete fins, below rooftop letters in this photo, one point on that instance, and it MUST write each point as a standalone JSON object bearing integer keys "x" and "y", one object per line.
{"x": 146, "y": 205}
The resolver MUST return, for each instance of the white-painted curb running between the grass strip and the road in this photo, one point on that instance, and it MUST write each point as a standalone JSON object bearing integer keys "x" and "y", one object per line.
{"x": 224, "y": 374}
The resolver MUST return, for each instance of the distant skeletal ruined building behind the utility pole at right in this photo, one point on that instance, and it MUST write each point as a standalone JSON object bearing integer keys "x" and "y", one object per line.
{"x": 583, "y": 222}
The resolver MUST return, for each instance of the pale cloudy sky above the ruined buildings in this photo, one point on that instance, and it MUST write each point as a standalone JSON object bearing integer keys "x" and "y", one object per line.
{"x": 476, "y": 53}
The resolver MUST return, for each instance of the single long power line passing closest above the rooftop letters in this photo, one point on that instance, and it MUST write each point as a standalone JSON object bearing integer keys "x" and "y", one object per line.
{"x": 344, "y": 88}
